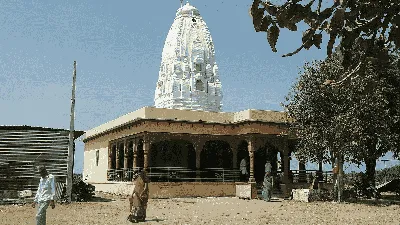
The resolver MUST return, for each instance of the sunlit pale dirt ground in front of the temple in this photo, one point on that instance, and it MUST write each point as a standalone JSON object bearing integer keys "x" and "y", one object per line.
{"x": 114, "y": 210}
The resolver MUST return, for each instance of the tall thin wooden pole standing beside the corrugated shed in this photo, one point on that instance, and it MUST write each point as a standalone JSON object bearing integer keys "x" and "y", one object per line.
{"x": 70, "y": 164}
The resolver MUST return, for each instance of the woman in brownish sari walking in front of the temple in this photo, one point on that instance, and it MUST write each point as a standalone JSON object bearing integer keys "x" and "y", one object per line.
{"x": 139, "y": 198}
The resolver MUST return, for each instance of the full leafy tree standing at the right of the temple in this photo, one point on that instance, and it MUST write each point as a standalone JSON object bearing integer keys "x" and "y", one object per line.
{"x": 359, "y": 120}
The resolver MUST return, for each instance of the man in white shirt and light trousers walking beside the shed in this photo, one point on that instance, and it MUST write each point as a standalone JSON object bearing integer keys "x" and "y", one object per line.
{"x": 45, "y": 195}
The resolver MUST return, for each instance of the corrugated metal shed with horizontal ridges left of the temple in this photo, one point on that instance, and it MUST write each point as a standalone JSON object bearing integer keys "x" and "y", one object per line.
{"x": 22, "y": 148}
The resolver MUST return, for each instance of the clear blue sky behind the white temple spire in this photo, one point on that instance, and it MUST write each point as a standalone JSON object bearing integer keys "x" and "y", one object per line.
{"x": 118, "y": 46}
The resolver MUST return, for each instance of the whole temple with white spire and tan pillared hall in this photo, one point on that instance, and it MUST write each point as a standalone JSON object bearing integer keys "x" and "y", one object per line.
{"x": 187, "y": 144}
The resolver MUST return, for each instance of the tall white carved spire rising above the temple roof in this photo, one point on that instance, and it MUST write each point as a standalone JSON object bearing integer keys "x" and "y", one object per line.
{"x": 188, "y": 77}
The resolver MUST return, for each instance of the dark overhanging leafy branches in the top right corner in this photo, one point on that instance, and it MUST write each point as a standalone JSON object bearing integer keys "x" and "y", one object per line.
{"x": 367, "y": 23}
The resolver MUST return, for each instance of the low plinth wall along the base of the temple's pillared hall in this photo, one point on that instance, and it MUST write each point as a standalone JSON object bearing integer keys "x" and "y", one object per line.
{"x": 173, "y": 190}
